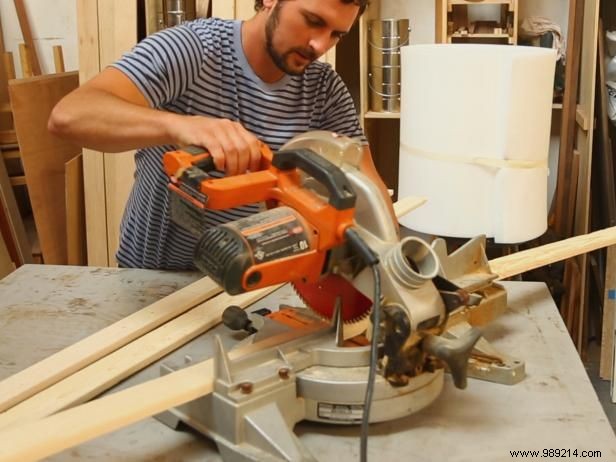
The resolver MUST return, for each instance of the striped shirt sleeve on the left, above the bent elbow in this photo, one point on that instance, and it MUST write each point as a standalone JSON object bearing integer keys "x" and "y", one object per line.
{"x": 164, "y": 64}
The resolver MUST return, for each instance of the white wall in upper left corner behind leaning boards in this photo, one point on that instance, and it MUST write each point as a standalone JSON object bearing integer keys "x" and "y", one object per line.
{"x": 53, "y": 22}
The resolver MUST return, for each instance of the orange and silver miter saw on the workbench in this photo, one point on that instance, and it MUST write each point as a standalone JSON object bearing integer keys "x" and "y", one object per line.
{"x": 376, "y": 303}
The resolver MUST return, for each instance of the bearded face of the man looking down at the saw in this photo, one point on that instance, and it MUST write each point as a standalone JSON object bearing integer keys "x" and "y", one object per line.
{"x": 298, "y": 32}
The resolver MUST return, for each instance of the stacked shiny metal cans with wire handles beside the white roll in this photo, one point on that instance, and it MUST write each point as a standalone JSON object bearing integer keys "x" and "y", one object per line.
{"x": 385, "y": 39}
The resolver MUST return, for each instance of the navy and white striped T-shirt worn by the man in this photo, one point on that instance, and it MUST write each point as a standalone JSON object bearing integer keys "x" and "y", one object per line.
{"x": 199, "y": 68}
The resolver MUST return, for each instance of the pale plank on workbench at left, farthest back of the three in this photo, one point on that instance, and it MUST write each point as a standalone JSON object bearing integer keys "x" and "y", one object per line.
{"x": 56, "y": 367}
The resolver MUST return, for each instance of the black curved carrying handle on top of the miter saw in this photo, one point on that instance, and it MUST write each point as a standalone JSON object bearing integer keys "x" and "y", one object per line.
{"x": 341, "y": 194}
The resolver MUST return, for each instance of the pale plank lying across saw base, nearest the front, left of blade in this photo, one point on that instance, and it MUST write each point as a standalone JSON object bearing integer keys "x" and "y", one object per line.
{"x": 76, "y": 425}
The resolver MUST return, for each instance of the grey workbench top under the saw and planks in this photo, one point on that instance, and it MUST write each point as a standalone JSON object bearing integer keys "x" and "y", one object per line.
{"x": 45, "y": 308}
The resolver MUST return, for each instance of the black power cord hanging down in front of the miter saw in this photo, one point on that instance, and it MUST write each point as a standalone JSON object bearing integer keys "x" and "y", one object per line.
{"x": 372, "y": 260}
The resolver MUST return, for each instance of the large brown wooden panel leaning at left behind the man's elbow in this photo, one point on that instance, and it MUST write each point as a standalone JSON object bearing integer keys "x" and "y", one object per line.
{"x": 43, "y": 156}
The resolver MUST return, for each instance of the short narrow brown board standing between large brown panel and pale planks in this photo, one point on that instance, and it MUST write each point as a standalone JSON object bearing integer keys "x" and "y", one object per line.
{"x": 76, "y": 248}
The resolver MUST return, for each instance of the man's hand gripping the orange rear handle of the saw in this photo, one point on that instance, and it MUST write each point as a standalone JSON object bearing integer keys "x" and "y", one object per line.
{"x": 234, "y": 149}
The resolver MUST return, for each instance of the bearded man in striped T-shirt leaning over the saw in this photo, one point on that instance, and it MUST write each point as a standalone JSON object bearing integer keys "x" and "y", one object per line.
{"x": 222, "y": 85}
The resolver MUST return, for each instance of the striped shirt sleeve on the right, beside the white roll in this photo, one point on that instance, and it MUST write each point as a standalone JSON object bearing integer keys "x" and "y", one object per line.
{"x": 339, "y": 112}
